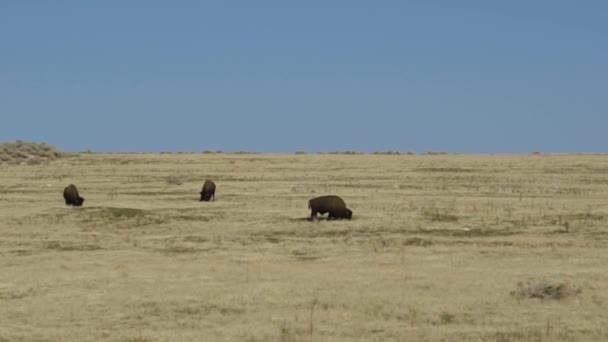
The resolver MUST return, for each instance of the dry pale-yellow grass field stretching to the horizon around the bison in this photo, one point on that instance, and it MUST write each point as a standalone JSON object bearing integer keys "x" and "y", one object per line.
{"x": 440, "y": 248}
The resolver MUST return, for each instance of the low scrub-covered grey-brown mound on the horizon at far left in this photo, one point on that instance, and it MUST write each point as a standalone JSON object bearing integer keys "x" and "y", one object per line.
{"x": 17, "y": 152}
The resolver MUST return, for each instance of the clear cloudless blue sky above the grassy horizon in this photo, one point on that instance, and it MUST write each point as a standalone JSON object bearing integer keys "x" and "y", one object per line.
{"x": 280, "y": 76}
